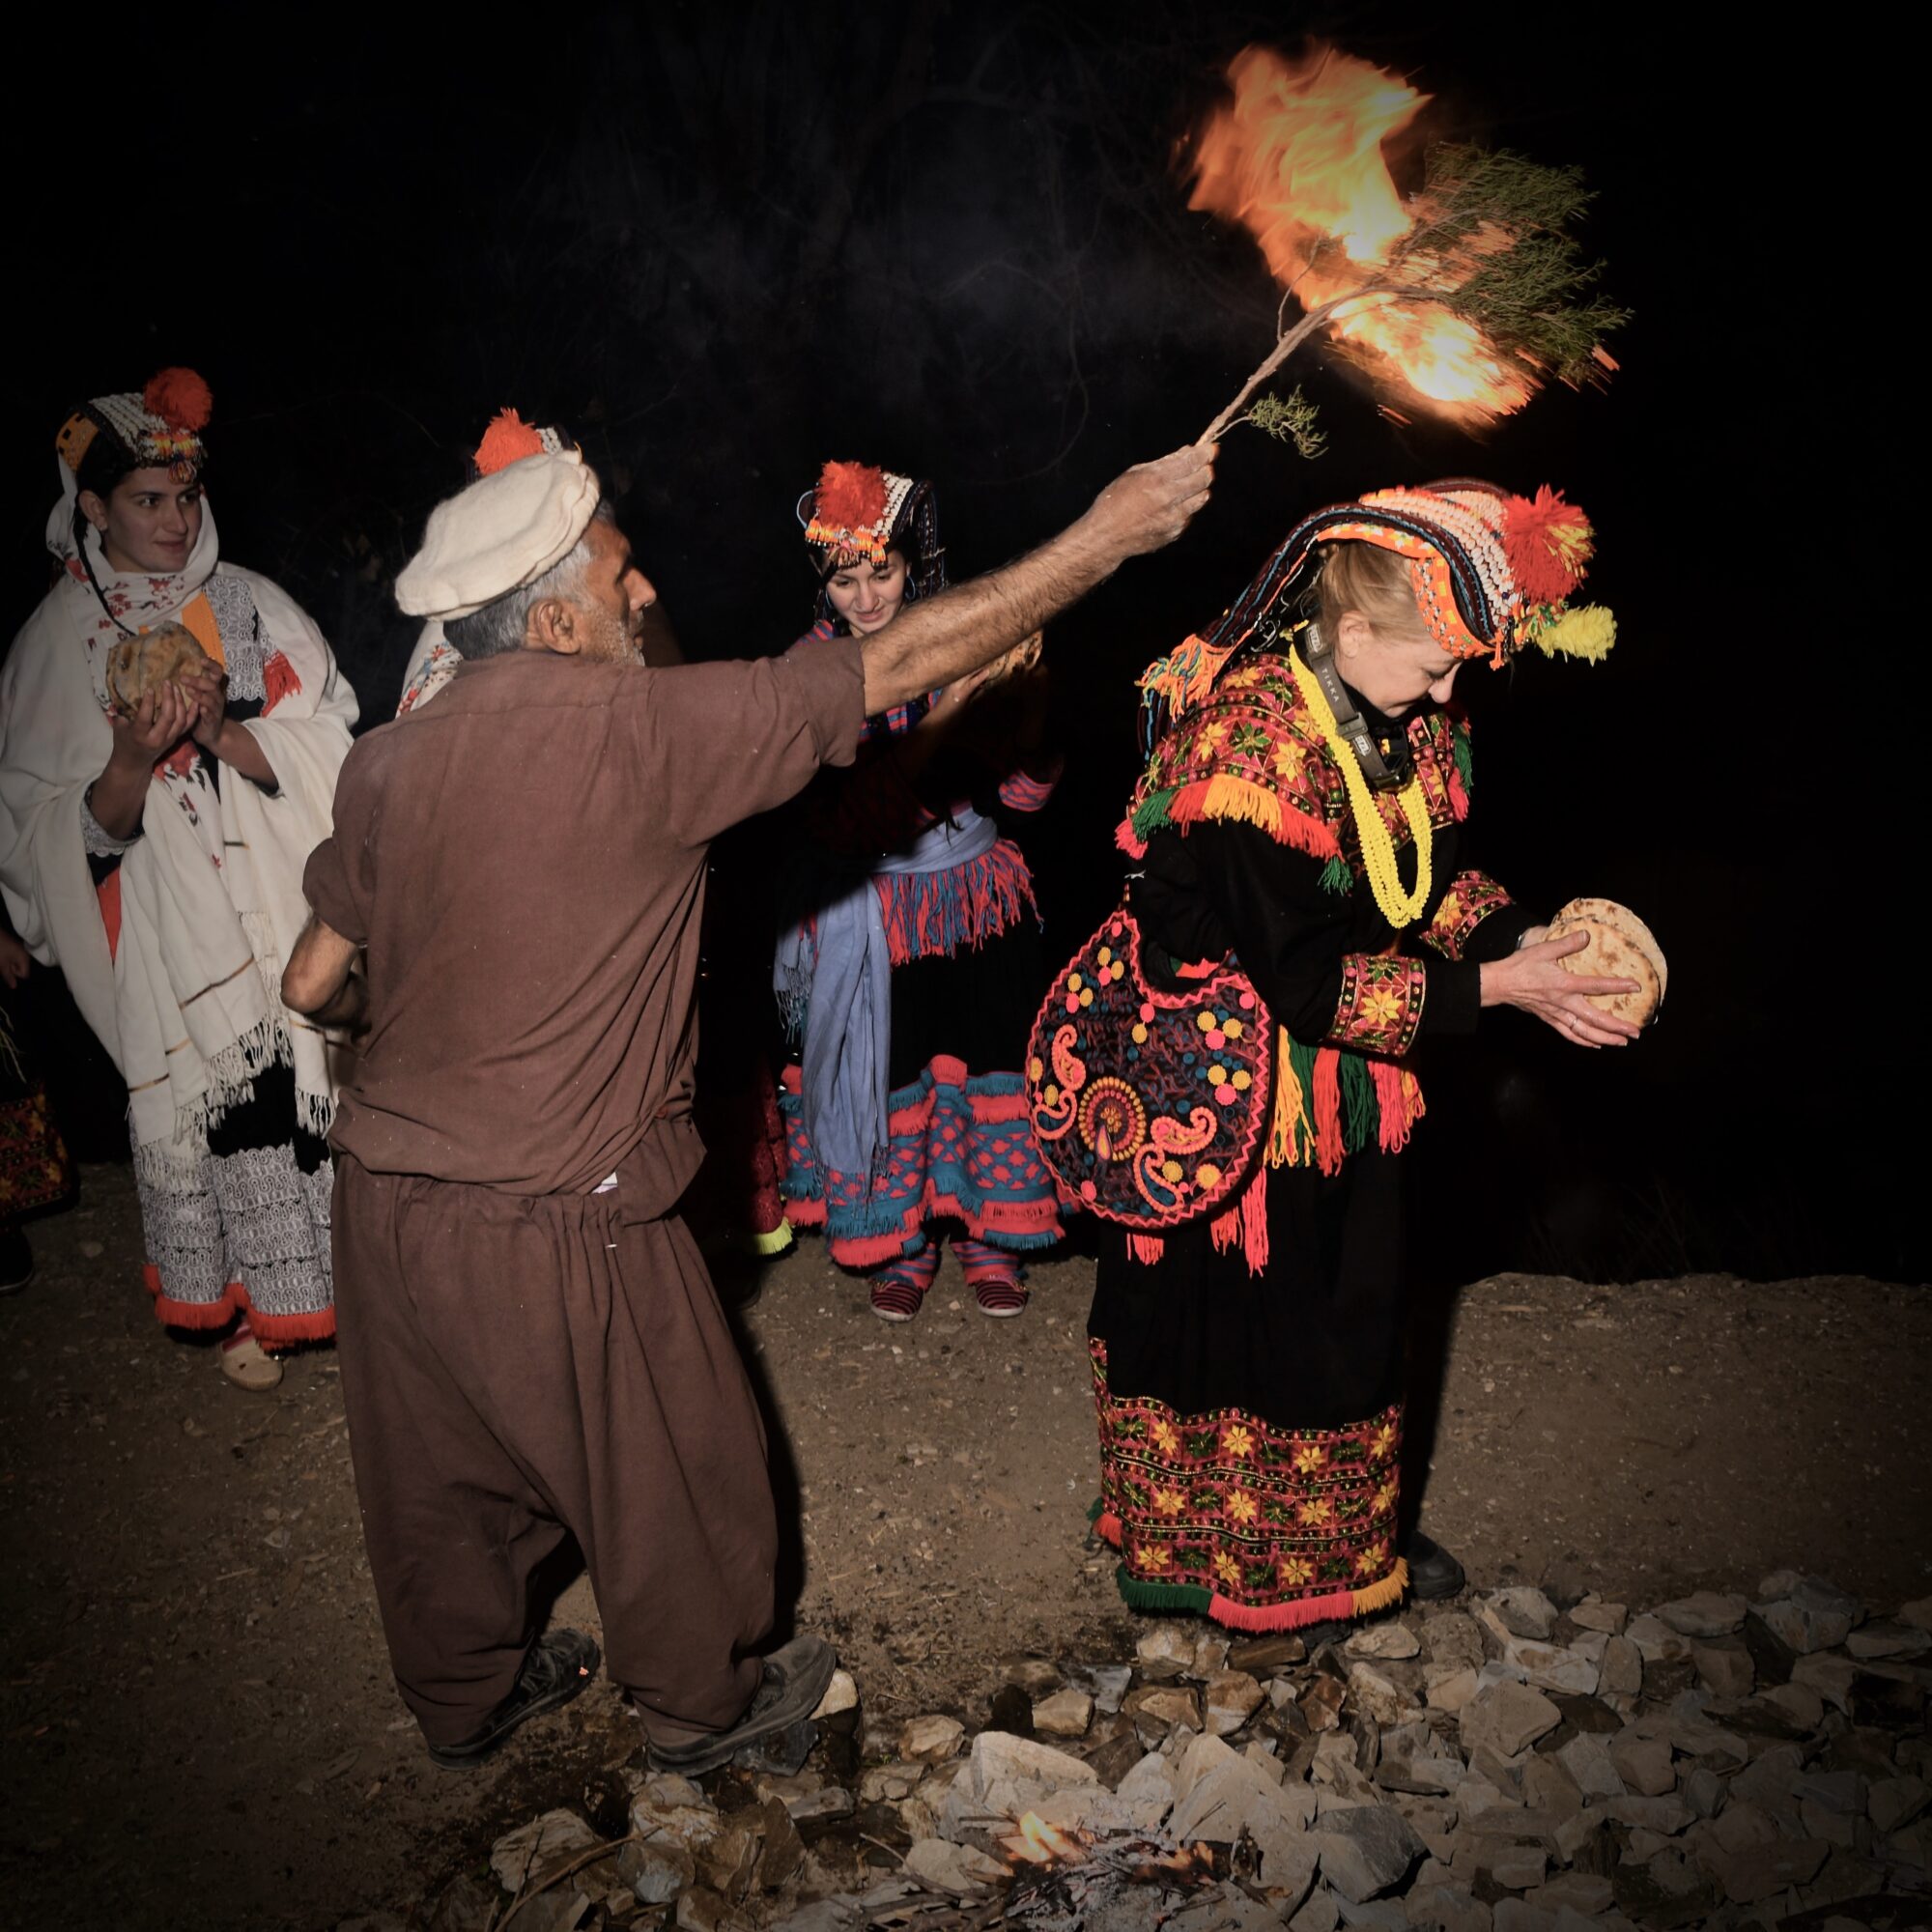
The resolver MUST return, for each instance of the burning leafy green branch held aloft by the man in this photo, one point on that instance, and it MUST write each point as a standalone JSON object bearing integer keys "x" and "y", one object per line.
{"x": 1463, "y": 297}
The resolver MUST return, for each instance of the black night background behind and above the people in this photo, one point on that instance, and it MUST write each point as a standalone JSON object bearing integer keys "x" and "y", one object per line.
{"x": 724, "y": 244}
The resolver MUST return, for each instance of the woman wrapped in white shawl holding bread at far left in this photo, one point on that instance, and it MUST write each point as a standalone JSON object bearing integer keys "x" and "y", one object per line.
{"x": 157, "y": 861}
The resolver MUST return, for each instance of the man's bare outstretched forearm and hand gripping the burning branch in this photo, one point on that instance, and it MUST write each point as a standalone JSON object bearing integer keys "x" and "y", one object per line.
{"x": 967, "y": 627}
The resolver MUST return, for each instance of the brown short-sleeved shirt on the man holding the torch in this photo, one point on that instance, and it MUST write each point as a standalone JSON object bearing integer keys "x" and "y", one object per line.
{"x": 525, "y": 861}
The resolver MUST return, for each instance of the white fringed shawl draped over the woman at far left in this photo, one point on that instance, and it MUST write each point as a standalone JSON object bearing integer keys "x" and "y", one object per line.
{"x": 212, "y": 892}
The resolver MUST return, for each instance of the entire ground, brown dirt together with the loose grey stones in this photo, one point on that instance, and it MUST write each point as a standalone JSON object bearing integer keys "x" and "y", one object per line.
{"x": 200, "y": 1722}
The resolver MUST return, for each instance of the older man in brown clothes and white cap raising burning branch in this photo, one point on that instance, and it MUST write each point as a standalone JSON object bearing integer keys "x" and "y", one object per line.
{"x": 530, "y": 1344}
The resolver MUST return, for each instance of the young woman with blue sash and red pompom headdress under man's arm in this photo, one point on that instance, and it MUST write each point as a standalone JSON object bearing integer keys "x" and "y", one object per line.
{"x": 913, "y": 965}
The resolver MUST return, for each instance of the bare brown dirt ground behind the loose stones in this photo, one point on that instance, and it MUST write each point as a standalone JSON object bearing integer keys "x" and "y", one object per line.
{"x": 200, "y": 1726}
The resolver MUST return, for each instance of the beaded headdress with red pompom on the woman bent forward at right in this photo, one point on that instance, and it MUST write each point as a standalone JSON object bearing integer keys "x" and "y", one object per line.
{"x": 1492, "y": 573}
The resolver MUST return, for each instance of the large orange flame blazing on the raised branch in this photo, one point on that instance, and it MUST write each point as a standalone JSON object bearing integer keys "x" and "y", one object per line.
{"x": 1297, "y": 157}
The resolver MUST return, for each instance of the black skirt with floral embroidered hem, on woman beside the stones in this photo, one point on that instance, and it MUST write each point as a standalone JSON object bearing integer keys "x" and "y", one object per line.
{"x": 1251, "y": 1425}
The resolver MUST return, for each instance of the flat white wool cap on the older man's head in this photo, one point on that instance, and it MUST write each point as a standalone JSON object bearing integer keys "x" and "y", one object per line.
{"x": 499, "y": 534}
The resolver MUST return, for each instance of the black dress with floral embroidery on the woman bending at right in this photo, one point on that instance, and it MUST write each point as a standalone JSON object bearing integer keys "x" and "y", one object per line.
{"x": 1251, "y": 1421}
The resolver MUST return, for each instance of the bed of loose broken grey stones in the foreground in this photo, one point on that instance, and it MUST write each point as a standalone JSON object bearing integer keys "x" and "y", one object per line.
{"x": 1502, "y": 1765}
